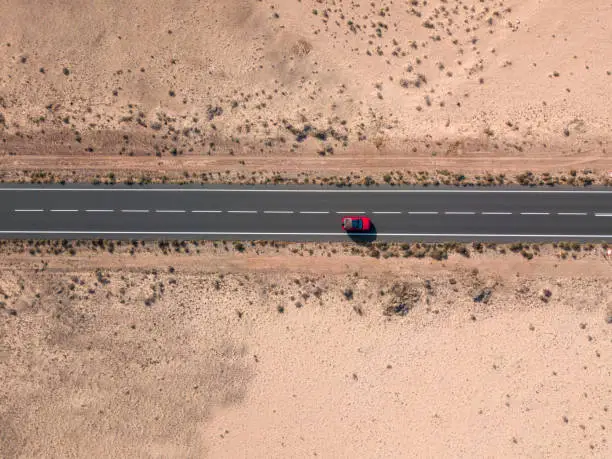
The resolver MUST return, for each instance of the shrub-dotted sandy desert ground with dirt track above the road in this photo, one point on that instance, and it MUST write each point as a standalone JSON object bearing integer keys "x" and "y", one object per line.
{"x": 303, "y": 87}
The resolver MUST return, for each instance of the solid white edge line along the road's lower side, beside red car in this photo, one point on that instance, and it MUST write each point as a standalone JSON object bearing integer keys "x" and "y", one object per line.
{"x": 231, "y": 233}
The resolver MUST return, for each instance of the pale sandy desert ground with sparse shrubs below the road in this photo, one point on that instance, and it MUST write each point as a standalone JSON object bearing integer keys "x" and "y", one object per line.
{"x": 276, "y": 354}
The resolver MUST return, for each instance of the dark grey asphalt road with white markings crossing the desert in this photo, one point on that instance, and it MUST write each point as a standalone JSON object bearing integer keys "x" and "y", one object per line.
{"x": 282, "y": 213}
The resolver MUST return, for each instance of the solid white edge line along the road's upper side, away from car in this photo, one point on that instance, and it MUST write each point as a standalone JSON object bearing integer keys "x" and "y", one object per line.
{"x": 294, "y": 190}
